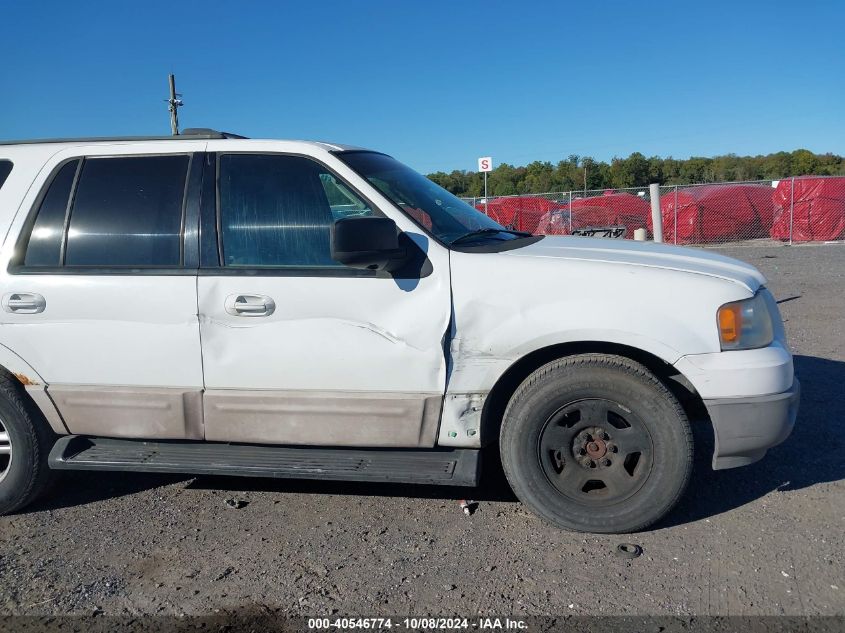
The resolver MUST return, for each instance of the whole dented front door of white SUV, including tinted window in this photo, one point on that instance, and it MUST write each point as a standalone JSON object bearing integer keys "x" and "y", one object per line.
{"x": 298, "y": 349}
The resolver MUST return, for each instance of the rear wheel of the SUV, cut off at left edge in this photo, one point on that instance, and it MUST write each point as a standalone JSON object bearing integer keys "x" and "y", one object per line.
{"x": 25, "y": 441}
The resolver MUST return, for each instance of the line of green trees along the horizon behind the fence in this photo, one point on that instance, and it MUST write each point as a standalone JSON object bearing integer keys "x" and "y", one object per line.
{"x": 582, "y": 172}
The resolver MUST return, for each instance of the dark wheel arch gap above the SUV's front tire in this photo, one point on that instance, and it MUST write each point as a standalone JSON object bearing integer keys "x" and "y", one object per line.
{"x": 505, "y": 386}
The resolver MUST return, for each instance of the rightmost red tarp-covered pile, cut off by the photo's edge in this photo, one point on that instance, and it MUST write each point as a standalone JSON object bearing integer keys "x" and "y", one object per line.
{"x": 819, "y": 209}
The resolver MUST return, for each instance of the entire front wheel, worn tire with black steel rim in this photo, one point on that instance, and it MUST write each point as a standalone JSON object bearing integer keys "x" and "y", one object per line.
{"x": 596, "y": 443}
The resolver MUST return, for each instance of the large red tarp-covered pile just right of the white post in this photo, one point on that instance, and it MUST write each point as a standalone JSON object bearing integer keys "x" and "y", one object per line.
{"x": 716, "y": 213}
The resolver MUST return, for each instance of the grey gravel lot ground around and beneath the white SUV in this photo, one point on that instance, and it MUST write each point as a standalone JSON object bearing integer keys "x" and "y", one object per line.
{"x": 765, "y": 539}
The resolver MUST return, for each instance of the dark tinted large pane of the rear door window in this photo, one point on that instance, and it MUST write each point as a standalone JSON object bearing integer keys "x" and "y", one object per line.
{"x": 128, "y": 212}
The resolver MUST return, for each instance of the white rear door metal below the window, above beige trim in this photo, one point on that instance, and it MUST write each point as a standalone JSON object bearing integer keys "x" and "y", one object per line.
{"x": 109, "y": 330}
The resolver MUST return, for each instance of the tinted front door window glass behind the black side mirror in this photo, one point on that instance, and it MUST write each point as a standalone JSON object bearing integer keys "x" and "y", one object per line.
{"x": 278, "y": 210}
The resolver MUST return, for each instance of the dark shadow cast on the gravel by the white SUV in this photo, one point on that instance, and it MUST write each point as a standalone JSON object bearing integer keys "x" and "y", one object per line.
{"x": 810, "y": 456}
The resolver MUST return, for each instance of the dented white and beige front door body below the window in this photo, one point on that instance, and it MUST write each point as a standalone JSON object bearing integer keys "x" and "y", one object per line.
{"x": 369, "y": 337}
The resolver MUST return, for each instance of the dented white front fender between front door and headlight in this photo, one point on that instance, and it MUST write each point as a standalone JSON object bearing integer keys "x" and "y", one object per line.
{"x": 507, "y": 307}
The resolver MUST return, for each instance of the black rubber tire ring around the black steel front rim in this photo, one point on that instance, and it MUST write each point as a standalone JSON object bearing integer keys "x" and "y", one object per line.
{"x": 662, "y": 416}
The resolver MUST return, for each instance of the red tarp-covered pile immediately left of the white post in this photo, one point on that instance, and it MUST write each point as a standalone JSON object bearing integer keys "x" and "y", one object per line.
{"x": 610, "y": 209}
